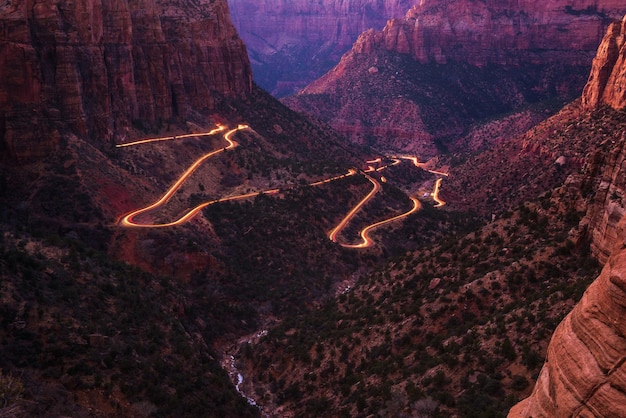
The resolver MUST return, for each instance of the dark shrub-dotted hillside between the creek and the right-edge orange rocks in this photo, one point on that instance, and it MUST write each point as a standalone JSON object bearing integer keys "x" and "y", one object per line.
{"x": 459, "y": 327}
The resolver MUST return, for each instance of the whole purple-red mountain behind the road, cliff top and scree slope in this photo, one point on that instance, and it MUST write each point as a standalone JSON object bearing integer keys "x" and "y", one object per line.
{"x": 430, "y": 75}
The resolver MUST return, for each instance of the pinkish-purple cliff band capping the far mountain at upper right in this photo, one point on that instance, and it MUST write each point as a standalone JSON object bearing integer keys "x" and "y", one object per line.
{"x": 494, "y": 32}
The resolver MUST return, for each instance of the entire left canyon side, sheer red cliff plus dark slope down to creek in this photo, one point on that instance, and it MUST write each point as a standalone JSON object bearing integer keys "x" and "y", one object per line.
{"x": 102, "y": 320}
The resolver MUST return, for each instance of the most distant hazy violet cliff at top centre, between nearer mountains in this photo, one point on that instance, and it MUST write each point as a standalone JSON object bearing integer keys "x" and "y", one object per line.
{"x": 291, "y": 43}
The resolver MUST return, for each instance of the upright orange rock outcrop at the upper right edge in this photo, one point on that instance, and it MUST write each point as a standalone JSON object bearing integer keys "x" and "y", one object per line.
{"x": 607, "y": 82}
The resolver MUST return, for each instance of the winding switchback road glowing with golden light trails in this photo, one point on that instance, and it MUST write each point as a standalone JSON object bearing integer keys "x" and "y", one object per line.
{"x": 129, "y": 221}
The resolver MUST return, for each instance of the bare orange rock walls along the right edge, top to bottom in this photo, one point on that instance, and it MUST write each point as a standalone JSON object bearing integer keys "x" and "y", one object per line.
{"x": 584, "y": 373}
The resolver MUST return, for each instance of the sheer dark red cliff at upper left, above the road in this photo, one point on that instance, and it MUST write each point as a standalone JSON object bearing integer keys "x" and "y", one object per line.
{"x": 97, "y": 67}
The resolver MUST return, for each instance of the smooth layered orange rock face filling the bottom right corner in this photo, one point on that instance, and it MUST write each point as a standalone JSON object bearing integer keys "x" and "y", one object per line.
{"x": 585, "y": 370}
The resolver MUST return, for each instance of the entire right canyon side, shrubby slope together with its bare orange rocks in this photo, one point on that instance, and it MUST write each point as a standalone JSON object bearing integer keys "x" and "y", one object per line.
{"x": 460, "y": 328}
